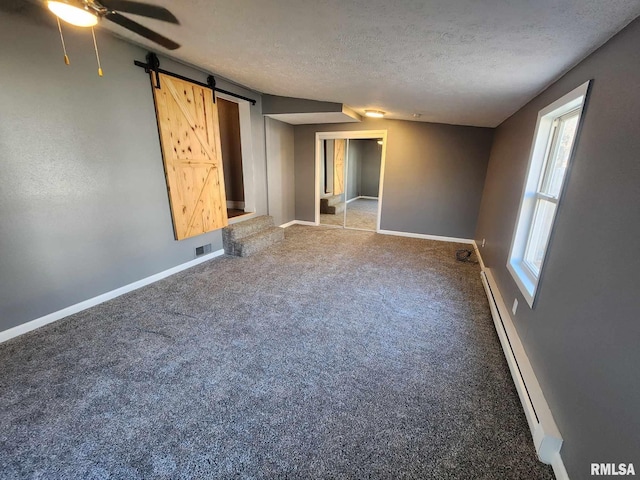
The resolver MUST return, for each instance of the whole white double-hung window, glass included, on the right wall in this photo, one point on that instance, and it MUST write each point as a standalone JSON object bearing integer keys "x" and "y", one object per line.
{"x": 551, "y": 154}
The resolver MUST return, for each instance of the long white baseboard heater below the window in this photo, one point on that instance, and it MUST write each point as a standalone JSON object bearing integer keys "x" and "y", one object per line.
{"x": 546, "y": 437}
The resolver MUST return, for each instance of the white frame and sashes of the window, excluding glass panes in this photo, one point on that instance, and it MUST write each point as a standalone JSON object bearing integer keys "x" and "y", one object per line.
{"x": 544, "y": 145}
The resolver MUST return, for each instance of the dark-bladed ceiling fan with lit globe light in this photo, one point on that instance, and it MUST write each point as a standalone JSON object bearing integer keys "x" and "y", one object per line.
{"x": 86, "y": 13}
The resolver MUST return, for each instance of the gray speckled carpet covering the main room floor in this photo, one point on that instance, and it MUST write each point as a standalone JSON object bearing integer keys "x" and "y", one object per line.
{"x": 334, "y": 354}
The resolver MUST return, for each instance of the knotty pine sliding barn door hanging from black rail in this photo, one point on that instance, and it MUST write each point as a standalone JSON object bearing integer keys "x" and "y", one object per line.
{"x": 190, "y": 138}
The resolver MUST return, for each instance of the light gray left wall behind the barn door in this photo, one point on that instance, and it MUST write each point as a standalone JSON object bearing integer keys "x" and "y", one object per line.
{"x": 83, "y": 201}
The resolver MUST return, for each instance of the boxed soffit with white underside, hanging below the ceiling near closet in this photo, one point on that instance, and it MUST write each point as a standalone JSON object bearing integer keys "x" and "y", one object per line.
{"x": 301, "y": 111}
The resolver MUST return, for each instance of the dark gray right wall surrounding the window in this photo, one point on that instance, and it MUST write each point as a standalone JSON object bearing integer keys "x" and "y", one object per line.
{"x": 583, "y": 336}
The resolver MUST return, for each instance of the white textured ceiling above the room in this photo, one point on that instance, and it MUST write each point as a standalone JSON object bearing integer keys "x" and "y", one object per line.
{"x": 465, "y": 62}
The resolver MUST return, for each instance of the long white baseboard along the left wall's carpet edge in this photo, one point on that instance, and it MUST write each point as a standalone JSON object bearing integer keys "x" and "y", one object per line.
{"x": 92, "y": 302}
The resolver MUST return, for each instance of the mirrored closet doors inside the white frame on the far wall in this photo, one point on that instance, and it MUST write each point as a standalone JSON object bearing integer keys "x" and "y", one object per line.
{"x": 350, "y": 173}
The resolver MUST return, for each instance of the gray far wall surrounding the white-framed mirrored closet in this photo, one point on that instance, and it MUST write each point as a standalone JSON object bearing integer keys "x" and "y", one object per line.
{"x": 434, "y": 174}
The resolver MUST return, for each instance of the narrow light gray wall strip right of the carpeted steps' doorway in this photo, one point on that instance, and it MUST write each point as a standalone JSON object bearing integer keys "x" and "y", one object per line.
{"x": 280, "y": 165}
